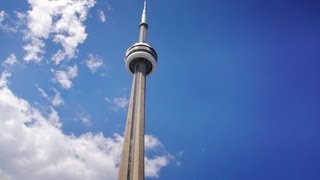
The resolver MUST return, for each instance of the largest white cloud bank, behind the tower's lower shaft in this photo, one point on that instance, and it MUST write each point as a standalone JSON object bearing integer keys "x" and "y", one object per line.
{"x": 34, "y": 146}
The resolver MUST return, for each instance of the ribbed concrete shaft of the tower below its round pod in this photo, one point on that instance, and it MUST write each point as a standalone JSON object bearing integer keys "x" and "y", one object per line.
{"x": 132, "y": 162}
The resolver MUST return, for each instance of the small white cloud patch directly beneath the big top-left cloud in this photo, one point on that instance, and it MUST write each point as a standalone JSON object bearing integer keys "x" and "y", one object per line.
{"x": 64, "y": 78}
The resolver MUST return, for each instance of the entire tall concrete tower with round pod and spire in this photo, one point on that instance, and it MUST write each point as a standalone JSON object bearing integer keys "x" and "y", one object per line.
{"x": 140, "y": 60}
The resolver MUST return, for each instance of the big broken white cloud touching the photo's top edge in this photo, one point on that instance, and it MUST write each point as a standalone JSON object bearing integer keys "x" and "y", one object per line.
{"x": 62, "y": 20}
